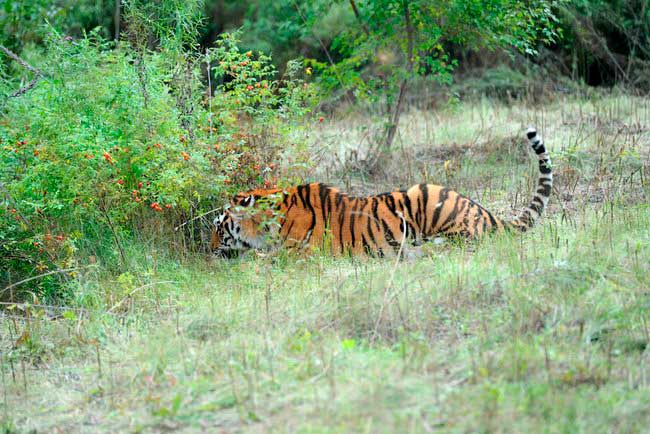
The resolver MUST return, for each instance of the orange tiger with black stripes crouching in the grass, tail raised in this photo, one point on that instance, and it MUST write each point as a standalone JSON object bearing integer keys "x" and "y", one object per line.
{"x": 308, "y": 215}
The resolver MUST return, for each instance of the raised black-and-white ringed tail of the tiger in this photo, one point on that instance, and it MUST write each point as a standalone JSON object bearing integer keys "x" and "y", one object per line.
{"x": 529, "y": 215}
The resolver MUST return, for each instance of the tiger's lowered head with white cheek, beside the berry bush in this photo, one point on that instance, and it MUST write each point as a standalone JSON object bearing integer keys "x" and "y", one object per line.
{"x": 242, "y": 224}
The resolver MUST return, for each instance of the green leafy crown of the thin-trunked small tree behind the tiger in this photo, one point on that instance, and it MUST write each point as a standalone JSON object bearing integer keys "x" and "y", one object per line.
{"x": 412, "y": 38}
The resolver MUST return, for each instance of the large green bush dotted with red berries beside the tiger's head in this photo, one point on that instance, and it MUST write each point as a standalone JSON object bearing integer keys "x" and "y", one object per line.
{"x": 87, "y": 164}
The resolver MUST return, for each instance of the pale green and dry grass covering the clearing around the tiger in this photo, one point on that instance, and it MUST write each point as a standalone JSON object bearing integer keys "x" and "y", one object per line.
{"x": 545, "y": 332}
